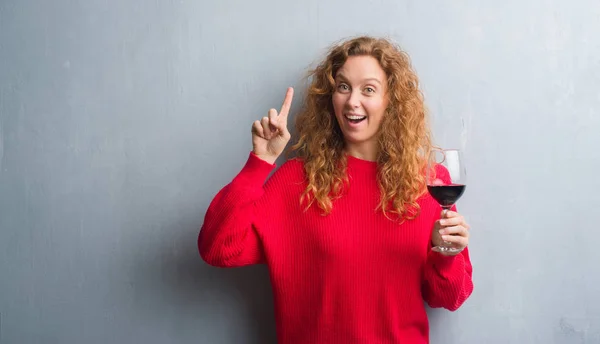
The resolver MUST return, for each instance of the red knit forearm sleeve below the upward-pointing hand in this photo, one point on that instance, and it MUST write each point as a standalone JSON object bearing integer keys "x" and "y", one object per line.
{"x": 228, "y": 237}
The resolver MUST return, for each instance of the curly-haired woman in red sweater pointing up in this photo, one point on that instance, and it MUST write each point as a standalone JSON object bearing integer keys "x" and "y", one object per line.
{"x": 346, "y": 227}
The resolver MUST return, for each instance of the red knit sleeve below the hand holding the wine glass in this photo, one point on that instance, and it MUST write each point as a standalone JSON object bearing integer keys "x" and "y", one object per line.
{"x": 447, "y": 280}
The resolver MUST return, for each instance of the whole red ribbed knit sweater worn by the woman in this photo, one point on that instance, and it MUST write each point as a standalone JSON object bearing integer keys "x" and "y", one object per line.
{"x": 352, "y": 276}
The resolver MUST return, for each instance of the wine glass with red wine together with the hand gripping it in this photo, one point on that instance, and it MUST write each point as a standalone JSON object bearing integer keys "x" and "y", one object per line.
{"x": 446, "y": 182}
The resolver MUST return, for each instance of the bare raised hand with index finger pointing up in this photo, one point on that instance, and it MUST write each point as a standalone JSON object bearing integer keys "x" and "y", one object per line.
{"x": 270, "y": 135}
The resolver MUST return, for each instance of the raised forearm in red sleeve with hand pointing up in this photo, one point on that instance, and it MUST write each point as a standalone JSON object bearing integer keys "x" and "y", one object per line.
{"x": 228, "y": 236}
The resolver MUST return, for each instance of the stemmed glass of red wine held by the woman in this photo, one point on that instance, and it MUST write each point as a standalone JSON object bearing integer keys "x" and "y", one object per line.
{"x": 446, "y": 182}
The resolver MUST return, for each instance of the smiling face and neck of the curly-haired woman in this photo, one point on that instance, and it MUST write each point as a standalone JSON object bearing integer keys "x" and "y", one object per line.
{"x": 360, "y": 102}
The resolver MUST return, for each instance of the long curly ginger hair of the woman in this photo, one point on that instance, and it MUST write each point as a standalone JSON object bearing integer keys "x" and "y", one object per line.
{"x": 404, "y": 137}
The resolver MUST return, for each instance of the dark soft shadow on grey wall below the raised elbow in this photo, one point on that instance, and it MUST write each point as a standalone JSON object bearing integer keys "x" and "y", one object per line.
{"x": 233, "y": 304}
